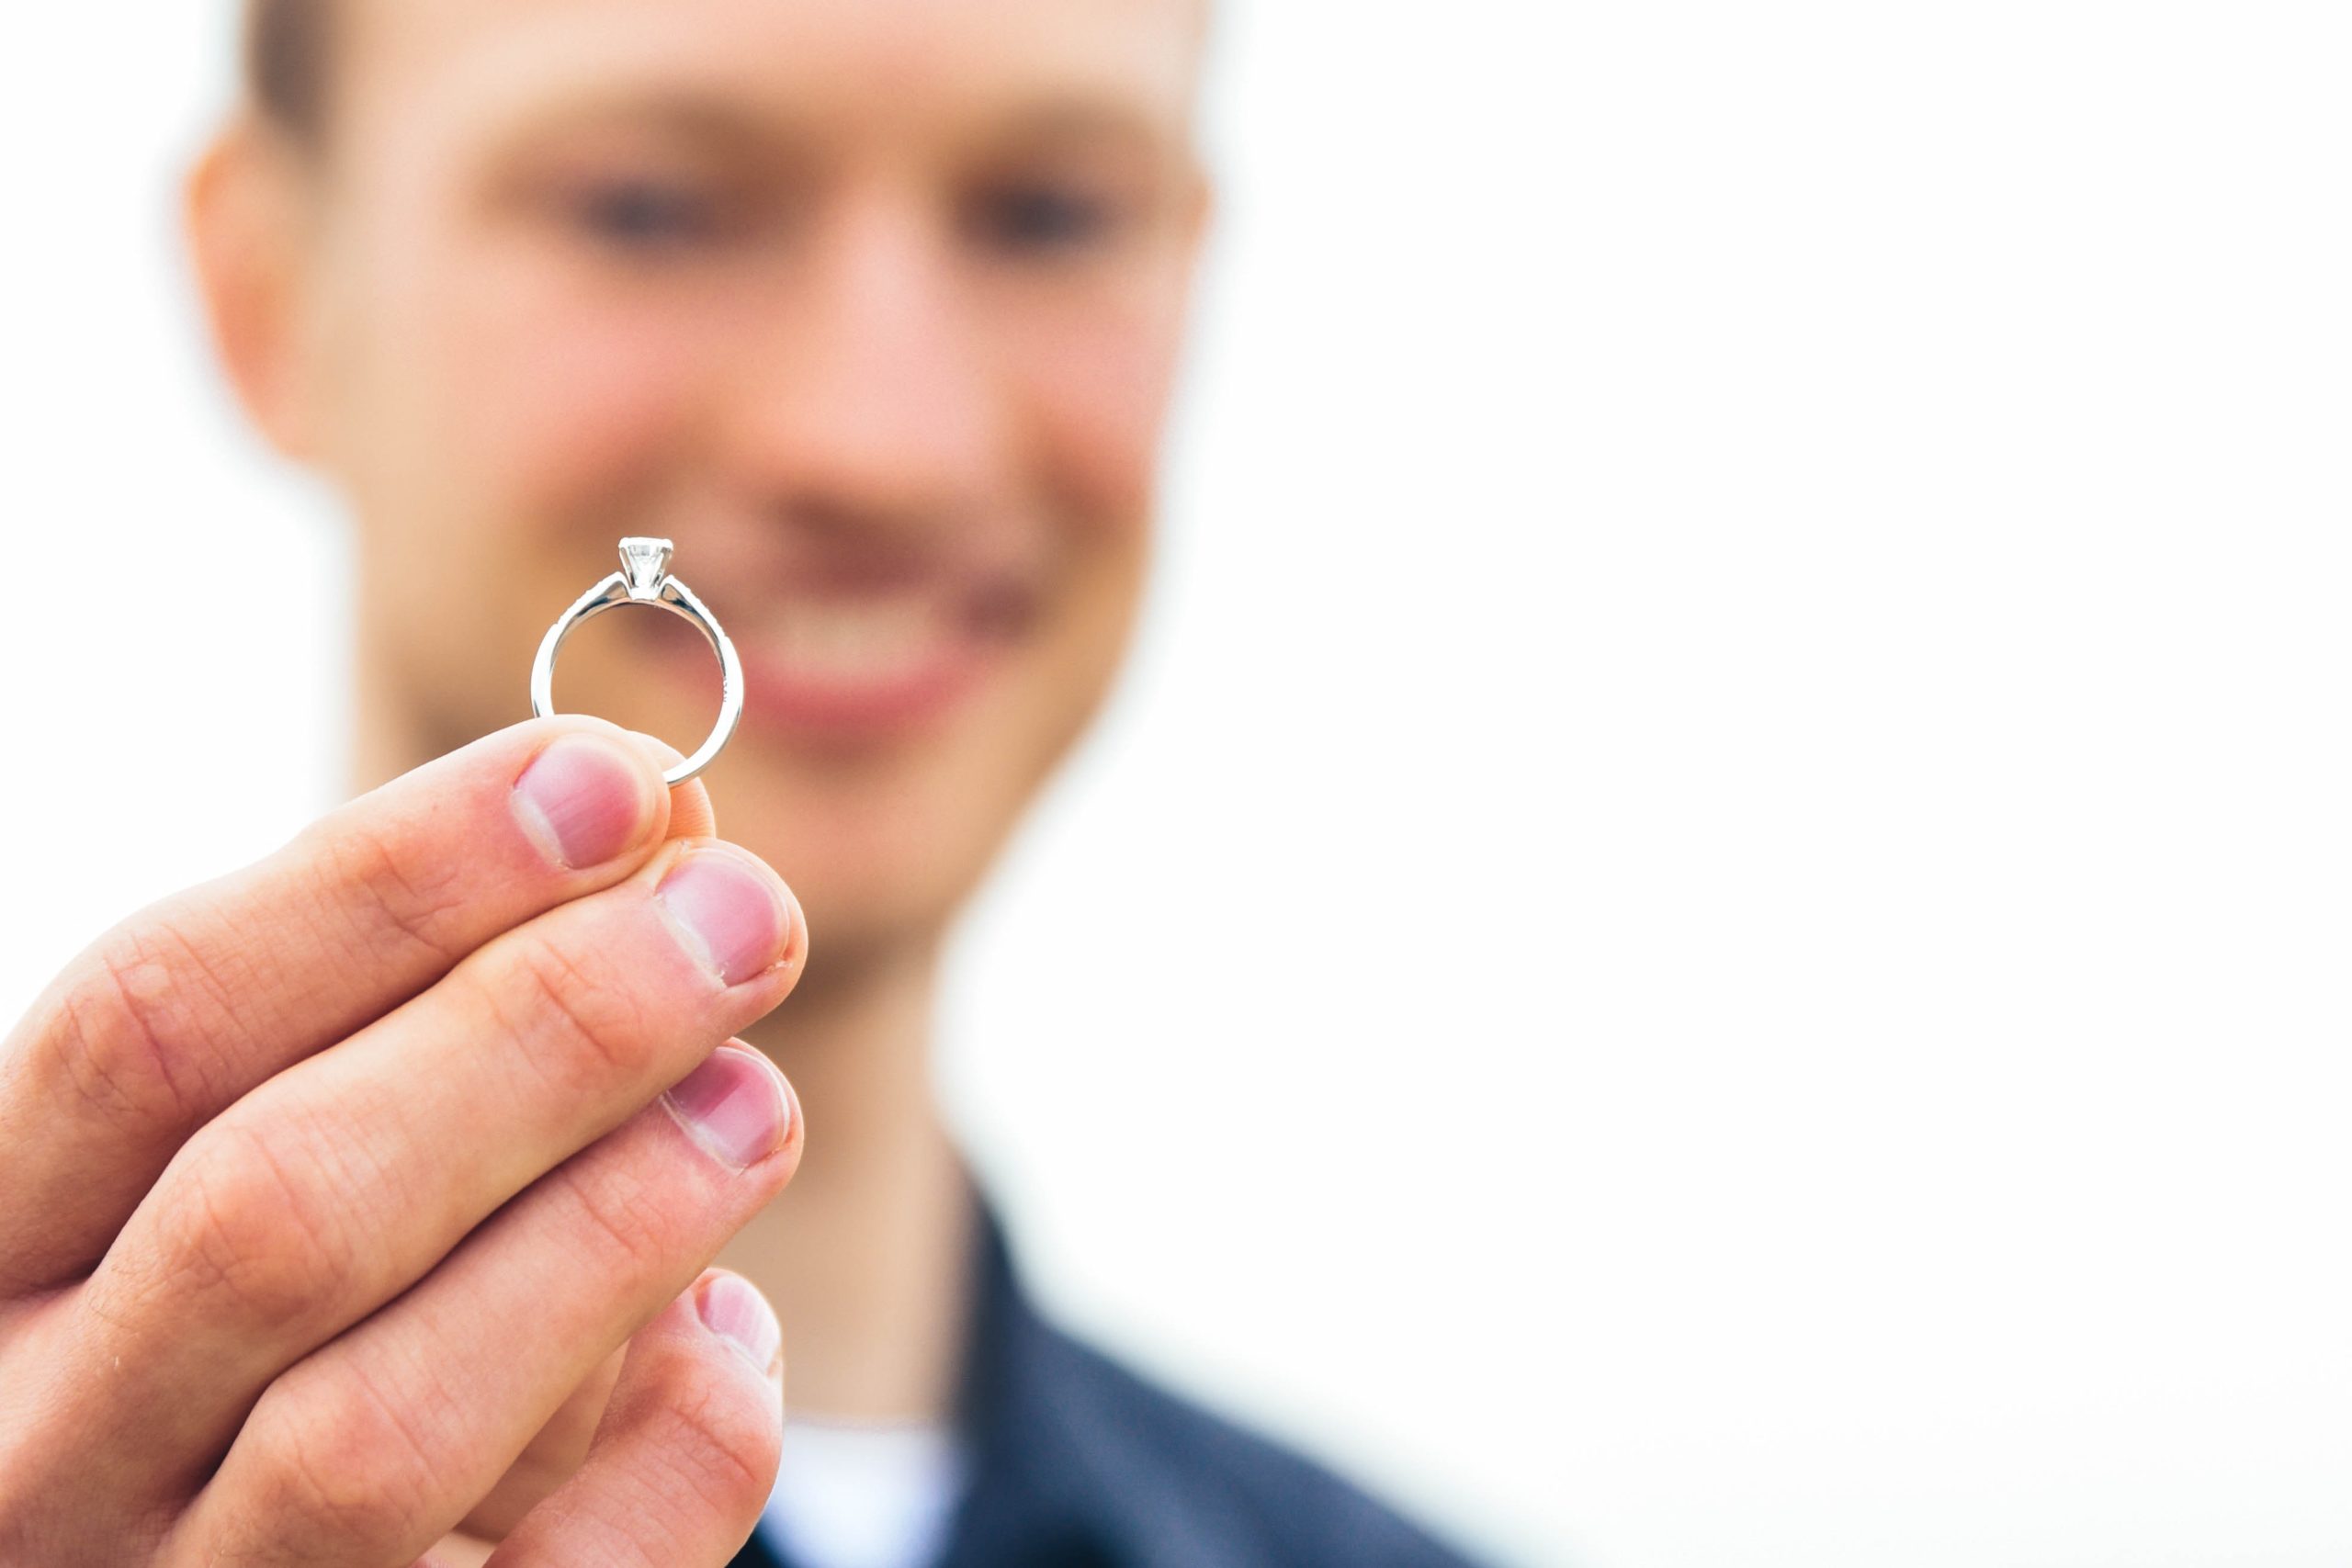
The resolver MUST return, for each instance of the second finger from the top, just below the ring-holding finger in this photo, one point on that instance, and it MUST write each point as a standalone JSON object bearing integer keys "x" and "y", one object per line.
{"x": 347, "y": 1179}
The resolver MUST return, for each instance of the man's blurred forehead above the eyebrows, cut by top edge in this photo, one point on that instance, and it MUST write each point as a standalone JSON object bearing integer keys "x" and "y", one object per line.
{"x": 836, "y": 65}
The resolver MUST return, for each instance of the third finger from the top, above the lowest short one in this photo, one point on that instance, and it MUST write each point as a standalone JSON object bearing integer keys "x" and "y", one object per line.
{"x": 389, "y": 1438}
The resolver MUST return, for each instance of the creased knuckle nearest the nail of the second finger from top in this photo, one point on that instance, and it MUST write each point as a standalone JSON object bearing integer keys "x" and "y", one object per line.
{"x": 592, "y": 1028}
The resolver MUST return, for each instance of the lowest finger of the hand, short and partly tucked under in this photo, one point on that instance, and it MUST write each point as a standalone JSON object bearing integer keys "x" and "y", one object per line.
{"x": 688, "y": 1452}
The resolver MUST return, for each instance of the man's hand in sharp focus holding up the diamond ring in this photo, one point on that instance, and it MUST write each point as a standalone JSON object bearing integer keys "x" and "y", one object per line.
{"x": 328, "y": 1186}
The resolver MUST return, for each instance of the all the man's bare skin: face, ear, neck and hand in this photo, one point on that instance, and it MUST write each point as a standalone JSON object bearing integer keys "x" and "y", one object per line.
{"x": 869, "y": 309}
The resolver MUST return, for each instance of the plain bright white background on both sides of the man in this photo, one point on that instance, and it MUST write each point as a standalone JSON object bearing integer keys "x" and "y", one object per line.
{"x": 1716, "y": 923}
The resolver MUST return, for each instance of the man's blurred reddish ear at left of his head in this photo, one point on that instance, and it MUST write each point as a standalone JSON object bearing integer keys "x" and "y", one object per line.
{"x": 250, "y": 234}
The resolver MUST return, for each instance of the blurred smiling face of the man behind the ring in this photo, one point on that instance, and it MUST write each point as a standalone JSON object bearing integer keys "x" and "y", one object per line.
{"x": 871, "y": 309}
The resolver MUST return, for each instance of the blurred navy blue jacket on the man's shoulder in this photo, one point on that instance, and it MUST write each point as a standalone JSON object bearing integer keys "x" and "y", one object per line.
{"x": 1081, "y": 1463}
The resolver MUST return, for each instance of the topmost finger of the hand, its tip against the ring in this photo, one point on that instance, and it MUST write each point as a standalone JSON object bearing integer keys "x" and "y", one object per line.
{"x": 182, "y": 1010}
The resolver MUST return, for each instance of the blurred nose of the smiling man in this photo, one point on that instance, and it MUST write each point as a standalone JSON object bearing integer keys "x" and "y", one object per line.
{"x": 864, "y": 396}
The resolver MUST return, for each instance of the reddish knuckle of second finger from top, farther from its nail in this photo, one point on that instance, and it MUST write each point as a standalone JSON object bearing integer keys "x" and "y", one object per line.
{"x": 258, "y": 1233}
